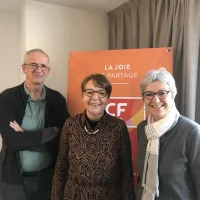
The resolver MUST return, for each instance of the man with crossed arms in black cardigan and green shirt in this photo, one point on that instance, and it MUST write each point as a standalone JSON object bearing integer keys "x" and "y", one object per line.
{"x": 31, "y": 118}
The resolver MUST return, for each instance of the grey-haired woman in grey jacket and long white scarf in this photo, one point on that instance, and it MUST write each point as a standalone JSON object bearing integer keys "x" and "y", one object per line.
{"x": 169, "y": 144}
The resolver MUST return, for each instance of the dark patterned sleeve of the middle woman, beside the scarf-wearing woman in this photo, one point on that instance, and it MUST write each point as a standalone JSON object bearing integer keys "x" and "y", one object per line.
{"x": 126, "y": 162}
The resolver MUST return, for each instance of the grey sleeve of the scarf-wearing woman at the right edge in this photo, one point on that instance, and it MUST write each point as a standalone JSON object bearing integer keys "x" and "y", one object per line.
{"x": 194, "y": 160}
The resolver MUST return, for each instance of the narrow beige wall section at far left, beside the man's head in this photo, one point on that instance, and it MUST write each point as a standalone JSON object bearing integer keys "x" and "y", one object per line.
{"x": 9, "y": 50}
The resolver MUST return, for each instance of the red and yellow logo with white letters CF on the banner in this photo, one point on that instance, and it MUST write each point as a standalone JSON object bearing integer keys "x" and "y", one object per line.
{"x": 129, "y": 109}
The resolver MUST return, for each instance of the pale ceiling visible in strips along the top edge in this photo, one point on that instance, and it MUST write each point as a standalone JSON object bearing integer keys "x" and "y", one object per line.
{"x": 99, "y": 5}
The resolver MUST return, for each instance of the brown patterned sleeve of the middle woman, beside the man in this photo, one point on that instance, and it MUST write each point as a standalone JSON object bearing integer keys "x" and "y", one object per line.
{"x": 62, "y": 165}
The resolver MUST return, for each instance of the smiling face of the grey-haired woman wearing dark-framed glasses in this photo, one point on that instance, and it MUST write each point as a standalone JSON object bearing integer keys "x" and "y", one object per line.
{"x": 157, "y": 107}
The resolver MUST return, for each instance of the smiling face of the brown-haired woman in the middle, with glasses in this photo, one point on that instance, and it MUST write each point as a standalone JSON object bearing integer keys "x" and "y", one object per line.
{"x": 95, "y": 100}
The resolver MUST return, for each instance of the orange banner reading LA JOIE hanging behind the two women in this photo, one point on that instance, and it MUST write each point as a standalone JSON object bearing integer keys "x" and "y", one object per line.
{"x": 124, "y": 69}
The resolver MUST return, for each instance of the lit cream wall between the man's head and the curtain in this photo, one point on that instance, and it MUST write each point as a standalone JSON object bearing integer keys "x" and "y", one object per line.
{"x": 58, "y": 30}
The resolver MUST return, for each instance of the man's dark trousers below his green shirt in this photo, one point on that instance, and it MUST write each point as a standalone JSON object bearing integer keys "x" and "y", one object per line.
{"x": 33, "y": 188}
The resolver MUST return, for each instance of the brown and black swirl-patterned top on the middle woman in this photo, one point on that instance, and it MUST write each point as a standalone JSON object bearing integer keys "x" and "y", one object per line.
{"x": 94, "y": 167}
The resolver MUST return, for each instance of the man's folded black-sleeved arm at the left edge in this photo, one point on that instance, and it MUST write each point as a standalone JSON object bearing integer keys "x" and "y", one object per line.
{"x": 19, "y": 140}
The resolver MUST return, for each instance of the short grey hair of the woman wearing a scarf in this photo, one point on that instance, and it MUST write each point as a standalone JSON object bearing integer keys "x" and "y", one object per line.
{"x": 161, "y": 75}
